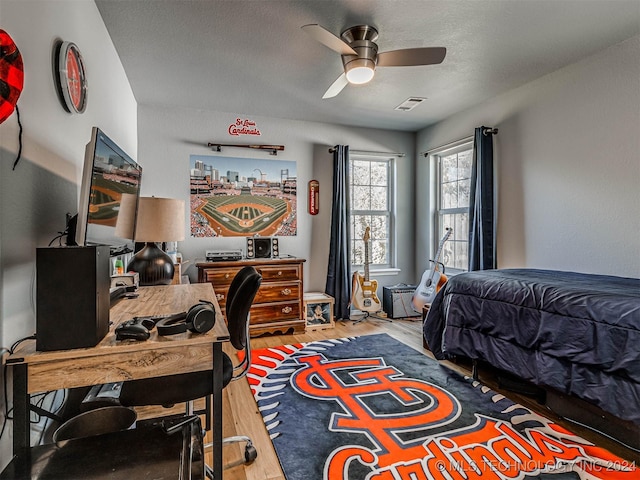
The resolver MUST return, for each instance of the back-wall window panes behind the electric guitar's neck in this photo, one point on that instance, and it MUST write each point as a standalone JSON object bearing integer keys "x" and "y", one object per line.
{"x": 370, "y": 198}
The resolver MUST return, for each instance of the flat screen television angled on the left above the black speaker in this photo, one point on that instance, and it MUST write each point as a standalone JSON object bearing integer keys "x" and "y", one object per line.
{"x": 109, "y": 175}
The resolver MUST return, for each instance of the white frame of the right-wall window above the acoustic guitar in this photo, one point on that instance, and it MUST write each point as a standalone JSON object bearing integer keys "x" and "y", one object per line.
{"x": 437, "y": 155}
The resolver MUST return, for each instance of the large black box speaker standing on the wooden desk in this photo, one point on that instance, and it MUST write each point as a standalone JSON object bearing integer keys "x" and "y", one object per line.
{"x": 72, "y": 290}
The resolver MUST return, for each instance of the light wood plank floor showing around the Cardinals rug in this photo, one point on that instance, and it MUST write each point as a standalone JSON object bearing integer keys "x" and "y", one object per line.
{"x": 241, "y": 416}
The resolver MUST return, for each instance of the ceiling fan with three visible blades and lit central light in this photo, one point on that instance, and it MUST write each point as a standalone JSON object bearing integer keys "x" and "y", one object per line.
{"x": 360, "y": 55}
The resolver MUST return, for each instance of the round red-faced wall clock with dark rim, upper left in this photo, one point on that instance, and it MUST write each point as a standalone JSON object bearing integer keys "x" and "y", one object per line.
{"x": 71, "y": 77}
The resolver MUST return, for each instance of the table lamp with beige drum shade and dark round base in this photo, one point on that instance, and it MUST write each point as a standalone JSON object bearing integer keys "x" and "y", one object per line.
{"x": 158, "y": 220}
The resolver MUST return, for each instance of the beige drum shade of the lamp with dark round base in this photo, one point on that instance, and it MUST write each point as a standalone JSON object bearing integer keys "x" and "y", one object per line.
{"x": 160, "y": 220}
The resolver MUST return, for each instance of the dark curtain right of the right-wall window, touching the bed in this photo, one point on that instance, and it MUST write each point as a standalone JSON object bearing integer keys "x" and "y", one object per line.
{"x": 482, "y": 250}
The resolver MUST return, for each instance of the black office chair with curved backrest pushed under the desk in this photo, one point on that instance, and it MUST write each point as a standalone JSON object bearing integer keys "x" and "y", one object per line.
{"x": 172, "y": 389}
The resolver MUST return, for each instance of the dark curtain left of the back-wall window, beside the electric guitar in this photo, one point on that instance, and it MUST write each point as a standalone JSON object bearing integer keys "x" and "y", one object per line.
{"x": 338, "y": 282}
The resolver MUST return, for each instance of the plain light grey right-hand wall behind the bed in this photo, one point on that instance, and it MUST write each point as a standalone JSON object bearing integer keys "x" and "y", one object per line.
{"x": 568, "y": 165}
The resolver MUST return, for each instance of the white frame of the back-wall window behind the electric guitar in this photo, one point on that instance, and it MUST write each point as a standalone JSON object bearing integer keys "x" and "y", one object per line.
{"x": 389, "y": 213}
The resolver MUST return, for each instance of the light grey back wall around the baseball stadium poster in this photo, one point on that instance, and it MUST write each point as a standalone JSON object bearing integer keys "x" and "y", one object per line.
{"x": 168, "y": 136}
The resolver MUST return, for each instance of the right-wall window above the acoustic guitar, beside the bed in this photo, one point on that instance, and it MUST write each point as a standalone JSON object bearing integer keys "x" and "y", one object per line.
{"x": 452, "y": 204}
